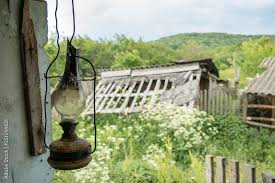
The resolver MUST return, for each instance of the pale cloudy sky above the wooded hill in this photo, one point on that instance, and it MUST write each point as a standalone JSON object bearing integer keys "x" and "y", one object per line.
{"x": 152, "y": 19}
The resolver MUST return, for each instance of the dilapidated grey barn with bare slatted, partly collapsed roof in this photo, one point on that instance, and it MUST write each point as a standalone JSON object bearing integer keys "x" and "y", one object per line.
{"x": 130, "y": 90}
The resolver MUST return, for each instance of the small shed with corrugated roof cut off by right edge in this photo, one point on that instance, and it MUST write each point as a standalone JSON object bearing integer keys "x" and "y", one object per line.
{"x": 258, "y": 100}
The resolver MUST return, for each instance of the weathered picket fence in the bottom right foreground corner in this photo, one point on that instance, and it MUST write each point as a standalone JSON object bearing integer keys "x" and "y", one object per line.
{"x": 232, "y": 174}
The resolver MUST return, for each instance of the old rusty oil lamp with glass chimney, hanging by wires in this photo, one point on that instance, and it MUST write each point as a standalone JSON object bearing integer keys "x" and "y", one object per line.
{"x": 70, "y": 152}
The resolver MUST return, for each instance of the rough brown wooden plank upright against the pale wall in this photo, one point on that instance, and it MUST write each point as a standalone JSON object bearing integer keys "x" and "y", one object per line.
{"x": 32, "y": 83}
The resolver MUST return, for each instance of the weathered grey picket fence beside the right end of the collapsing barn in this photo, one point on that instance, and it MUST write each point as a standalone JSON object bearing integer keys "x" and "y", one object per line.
{"x": 219, "y": 101}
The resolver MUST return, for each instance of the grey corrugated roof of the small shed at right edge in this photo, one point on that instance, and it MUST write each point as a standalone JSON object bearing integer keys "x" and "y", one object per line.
{"x": 264, "y": 83}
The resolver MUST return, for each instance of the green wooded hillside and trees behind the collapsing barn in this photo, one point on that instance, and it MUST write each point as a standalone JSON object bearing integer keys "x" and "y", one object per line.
{"x": 121, "y": 52}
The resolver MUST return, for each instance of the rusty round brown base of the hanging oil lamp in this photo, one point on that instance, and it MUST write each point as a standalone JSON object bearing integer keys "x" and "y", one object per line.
{"x": 69, "y": 152}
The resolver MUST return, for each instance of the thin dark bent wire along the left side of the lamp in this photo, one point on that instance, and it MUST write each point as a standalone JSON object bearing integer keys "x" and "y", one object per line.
{"x": 47, "y": 71}
